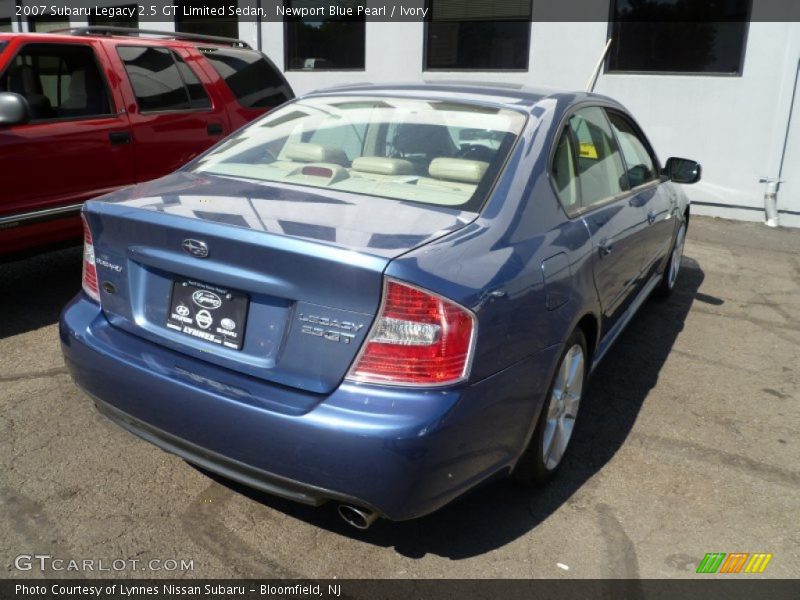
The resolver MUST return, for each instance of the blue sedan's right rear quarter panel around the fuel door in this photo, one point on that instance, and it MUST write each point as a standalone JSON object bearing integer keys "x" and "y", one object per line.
{"x": 495, "y": 265}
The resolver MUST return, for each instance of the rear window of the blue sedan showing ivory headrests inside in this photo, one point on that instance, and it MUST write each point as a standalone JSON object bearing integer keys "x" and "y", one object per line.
{"x": 430, "y": 151}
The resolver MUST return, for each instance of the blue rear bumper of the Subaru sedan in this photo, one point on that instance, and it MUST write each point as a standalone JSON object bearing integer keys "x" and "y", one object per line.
{"x": 401, "y": 452}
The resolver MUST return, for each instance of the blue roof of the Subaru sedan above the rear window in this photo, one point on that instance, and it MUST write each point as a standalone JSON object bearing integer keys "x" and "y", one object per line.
{"x": 509, "y": 95}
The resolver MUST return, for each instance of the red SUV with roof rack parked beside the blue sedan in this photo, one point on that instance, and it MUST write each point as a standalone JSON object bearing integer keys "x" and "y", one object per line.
{"x": 93, "y": 109}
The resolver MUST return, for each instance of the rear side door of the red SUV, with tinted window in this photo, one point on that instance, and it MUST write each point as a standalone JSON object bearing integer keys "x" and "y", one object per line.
{"x": 171, "y": 114}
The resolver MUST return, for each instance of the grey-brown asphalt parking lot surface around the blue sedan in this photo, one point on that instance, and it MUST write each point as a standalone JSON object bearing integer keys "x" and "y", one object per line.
{"x": 687, "y": 443}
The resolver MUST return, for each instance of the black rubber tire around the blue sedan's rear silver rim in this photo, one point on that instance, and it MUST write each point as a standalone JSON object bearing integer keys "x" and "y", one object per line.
{"x": 532, "y": 468}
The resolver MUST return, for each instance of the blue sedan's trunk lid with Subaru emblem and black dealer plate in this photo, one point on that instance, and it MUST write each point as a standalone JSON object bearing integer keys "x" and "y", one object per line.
{"x": 304, "y": 268}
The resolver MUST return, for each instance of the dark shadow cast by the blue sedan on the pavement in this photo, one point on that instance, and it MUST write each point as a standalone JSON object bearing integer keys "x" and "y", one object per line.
{"x": 499, "y": 512}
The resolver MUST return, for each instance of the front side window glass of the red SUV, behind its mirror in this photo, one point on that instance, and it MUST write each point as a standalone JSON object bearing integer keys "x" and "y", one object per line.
{"x": 58, "y": 80}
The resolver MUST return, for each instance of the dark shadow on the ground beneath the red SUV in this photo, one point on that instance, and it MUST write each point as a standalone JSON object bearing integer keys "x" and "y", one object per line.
{"x": 34, "y": 290}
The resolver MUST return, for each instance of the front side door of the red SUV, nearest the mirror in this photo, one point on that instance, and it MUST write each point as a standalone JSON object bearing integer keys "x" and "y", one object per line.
{"x": 77, "y": 145}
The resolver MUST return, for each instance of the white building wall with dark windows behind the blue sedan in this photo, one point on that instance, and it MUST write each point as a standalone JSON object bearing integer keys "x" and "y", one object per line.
{"x": 733, "y": 125}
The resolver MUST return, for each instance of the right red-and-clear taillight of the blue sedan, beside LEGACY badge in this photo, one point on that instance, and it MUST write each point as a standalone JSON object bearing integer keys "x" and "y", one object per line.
{"x": 418, "y": 339}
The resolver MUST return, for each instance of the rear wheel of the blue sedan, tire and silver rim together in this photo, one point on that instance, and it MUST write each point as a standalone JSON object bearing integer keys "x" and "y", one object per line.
{"x": 553, "y": 433}
